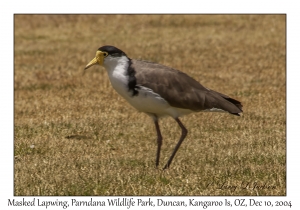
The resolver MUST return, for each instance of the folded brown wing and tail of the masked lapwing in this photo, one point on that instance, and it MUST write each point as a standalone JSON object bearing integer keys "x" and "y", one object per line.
{"x": 180, "y": 90}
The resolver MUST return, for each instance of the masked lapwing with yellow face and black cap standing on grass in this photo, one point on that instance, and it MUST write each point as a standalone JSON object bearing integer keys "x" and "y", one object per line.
{"x": 160, "y": 91}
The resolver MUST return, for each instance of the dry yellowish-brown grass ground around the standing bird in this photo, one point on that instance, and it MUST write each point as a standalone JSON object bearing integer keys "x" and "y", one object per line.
{"x": 74, "y": 135}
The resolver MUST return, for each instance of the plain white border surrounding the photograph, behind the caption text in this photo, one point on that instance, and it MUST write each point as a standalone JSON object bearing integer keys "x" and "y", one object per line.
{"x": 154, "y": 6}
